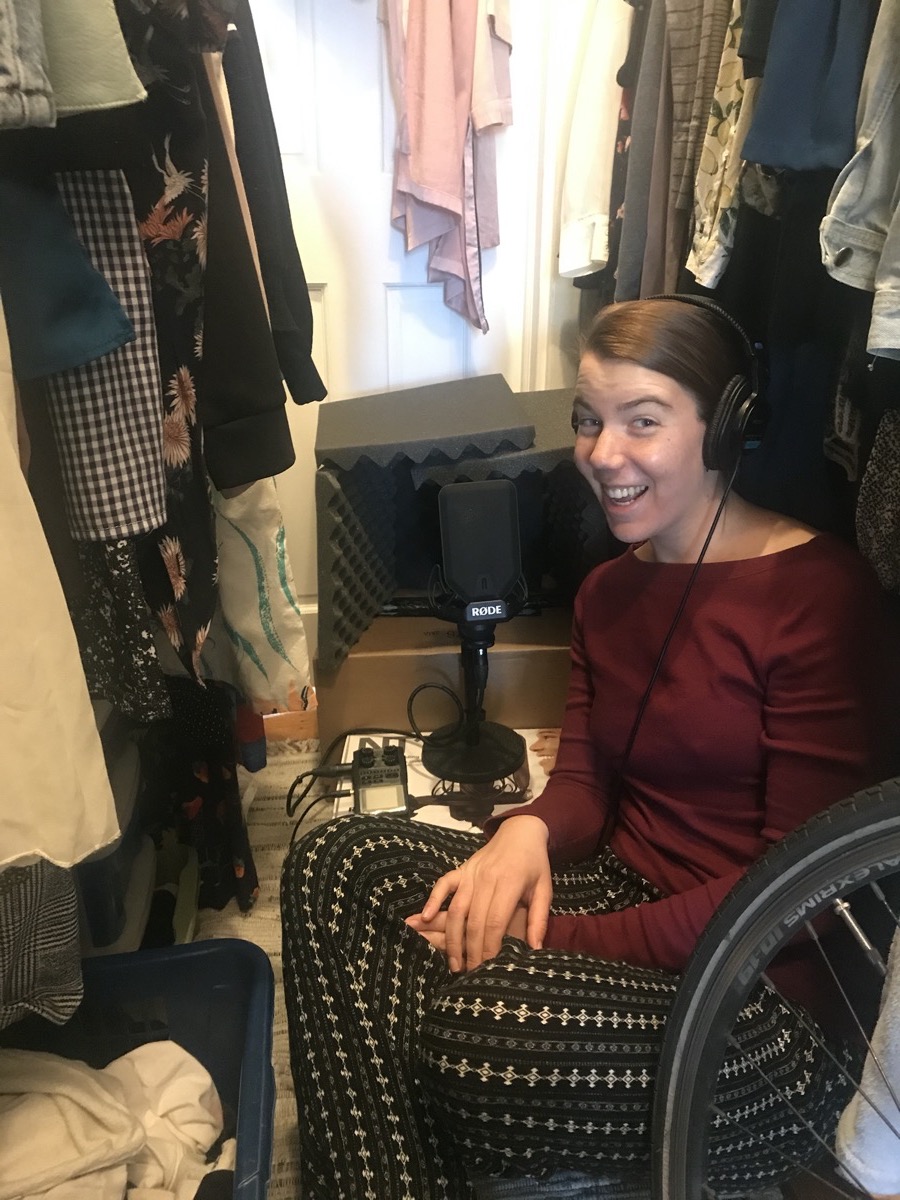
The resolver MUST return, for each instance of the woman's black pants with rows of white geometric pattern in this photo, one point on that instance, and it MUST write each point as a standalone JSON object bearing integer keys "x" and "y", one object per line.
{"x": 412, "y": 1083}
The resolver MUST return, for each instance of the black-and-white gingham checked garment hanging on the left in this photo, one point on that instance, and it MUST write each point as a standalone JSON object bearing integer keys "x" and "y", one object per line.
{"x": 107, "y": 416}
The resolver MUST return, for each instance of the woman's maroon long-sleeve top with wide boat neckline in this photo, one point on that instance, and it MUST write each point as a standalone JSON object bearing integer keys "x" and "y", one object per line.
{"x": 770, "y": 707}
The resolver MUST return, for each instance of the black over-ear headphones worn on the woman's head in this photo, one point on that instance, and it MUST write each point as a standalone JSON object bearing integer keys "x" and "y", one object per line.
{"x": 739, "y": 421}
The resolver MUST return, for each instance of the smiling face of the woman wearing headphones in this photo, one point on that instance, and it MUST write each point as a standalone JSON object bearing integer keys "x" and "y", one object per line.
{"x": 639, "y": 443}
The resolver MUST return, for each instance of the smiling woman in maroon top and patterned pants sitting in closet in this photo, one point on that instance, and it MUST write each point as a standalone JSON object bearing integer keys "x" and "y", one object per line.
{"x": 473, "y": 1010}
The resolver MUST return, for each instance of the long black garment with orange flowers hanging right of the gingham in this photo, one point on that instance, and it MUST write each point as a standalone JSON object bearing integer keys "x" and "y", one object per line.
{"x": 178, "y": 562}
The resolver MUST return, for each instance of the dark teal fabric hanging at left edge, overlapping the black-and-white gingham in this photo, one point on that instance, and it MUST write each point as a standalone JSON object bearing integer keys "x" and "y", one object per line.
{"x": 61, "y": 313}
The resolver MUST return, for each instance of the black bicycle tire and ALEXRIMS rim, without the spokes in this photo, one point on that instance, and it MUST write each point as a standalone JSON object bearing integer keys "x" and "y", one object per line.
{"x": 851, "y": 844}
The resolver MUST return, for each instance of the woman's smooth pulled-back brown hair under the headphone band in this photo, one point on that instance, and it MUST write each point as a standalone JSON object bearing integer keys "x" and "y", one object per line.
{"x": 687, "y": 343}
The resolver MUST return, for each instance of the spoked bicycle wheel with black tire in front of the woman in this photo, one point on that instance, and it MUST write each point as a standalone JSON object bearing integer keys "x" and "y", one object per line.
{"x": 841, "y": 873}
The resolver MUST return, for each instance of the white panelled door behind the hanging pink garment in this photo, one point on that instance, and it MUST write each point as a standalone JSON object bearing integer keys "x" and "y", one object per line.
{"x": 377, "y": 325}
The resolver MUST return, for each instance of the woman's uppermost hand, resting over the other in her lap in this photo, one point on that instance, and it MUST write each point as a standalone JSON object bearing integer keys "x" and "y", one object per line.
{"x": 511, "y": 873}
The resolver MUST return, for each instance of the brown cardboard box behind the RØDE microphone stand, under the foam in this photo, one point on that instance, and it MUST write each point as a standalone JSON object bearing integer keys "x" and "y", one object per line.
{"x": 529, "y": 675}
